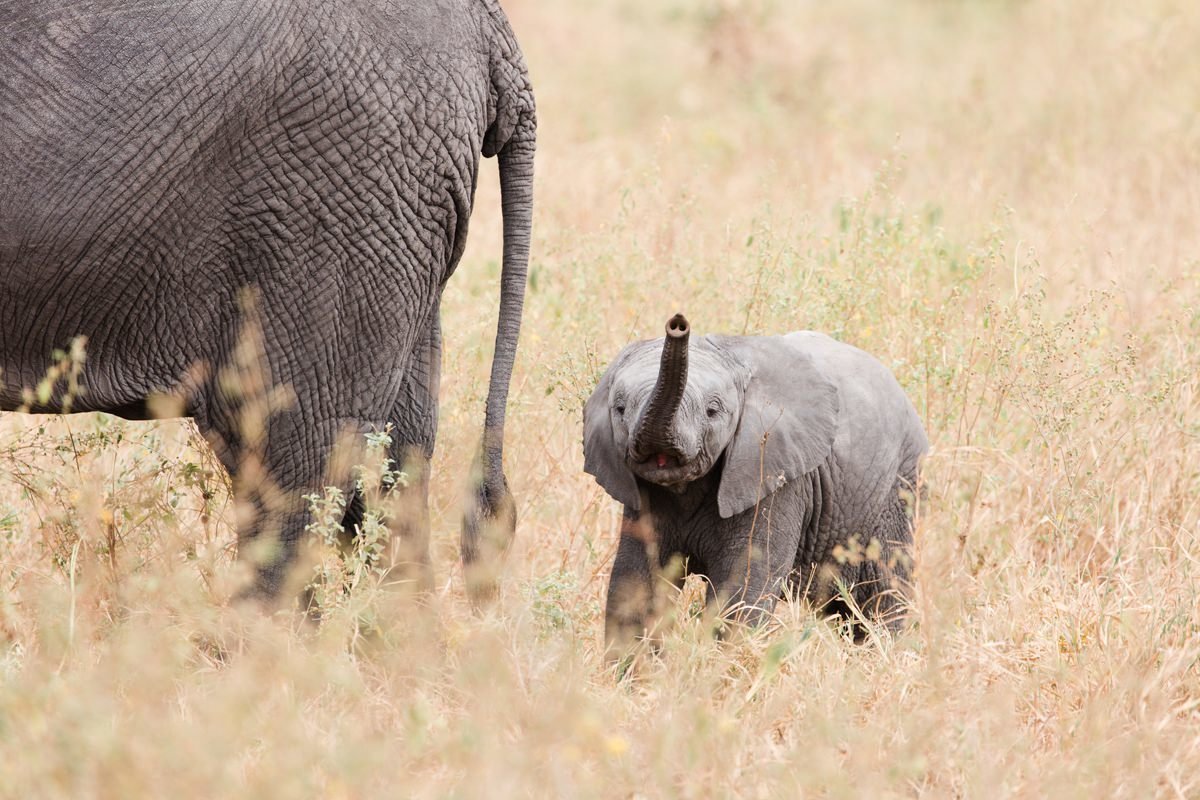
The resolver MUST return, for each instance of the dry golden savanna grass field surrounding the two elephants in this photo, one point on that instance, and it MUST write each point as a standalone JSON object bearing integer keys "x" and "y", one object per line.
{"x": 1001, "y": 201}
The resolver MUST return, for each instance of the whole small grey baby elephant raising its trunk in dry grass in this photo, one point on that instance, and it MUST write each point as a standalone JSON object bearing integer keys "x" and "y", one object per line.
{"x": 764, "y": 462}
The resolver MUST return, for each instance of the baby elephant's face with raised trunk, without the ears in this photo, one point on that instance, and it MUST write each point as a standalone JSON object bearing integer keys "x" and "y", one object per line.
{"x": 674, "y": 407}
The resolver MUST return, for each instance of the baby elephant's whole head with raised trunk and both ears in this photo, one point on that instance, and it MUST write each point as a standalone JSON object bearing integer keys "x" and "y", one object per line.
{"x": 668, "y": 410}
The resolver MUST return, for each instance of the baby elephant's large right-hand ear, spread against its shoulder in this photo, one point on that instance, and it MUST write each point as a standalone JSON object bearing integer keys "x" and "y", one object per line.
{"x": 789, "y": 422}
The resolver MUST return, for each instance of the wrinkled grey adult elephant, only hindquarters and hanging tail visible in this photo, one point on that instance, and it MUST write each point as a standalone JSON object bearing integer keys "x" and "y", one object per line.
{"x": 160, "y": 163}
